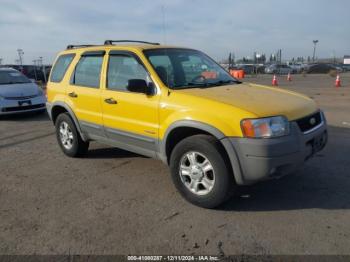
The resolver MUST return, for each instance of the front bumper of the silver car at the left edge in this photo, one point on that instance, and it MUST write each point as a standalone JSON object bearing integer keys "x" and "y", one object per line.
{"x": 9, "y": 107}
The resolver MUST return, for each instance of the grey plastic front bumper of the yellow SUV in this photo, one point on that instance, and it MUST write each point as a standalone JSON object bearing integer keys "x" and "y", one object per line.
{"x": 261, "y": 159}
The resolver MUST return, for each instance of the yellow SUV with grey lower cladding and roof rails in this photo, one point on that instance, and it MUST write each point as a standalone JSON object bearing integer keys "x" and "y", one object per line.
{"x": 179, "y": 106}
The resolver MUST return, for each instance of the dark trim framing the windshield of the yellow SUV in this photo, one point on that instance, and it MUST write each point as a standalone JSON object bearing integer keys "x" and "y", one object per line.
{"x": 199, "y": 85}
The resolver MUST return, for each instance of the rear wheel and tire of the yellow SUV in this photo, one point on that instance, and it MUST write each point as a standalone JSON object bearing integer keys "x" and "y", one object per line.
{"x": 71, "y": 144}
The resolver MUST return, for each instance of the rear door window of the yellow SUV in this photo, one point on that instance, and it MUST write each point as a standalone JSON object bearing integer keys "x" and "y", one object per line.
{"x": 88, "y": 70}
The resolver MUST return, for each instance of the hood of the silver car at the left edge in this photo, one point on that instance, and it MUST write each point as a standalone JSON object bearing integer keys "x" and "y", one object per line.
{"x": 18, "y": 90}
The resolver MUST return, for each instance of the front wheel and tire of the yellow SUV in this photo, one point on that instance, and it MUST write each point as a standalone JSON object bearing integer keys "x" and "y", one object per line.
{"x": 219, "y": 183}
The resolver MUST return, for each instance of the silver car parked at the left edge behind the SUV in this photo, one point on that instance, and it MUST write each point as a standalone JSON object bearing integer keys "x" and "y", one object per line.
{"x": 19, "y": 94}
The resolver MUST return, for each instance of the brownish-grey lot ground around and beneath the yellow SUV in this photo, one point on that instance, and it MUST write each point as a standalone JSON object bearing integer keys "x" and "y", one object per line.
{"x": 116, "y": 202}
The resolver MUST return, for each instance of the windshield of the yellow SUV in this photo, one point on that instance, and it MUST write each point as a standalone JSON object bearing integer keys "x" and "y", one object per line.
{"x": 185, "y": 68}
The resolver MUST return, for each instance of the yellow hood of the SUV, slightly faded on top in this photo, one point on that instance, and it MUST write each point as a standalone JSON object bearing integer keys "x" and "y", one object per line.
{"x": 260, "y": 100}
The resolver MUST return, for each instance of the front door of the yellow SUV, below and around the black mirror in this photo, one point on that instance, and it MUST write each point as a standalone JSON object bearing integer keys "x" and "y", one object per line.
{"x": 130, "y": 118}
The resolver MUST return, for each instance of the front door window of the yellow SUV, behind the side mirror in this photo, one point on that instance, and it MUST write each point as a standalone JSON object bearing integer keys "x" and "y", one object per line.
{"x": 122, "y": 68}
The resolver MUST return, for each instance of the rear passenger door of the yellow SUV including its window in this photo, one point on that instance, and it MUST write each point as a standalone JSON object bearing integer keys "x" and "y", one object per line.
{"x": 84, "y": 93}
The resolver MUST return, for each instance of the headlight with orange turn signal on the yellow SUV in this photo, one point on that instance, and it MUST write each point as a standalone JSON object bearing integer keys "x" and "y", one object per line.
{"x": 265, "y": 127}
